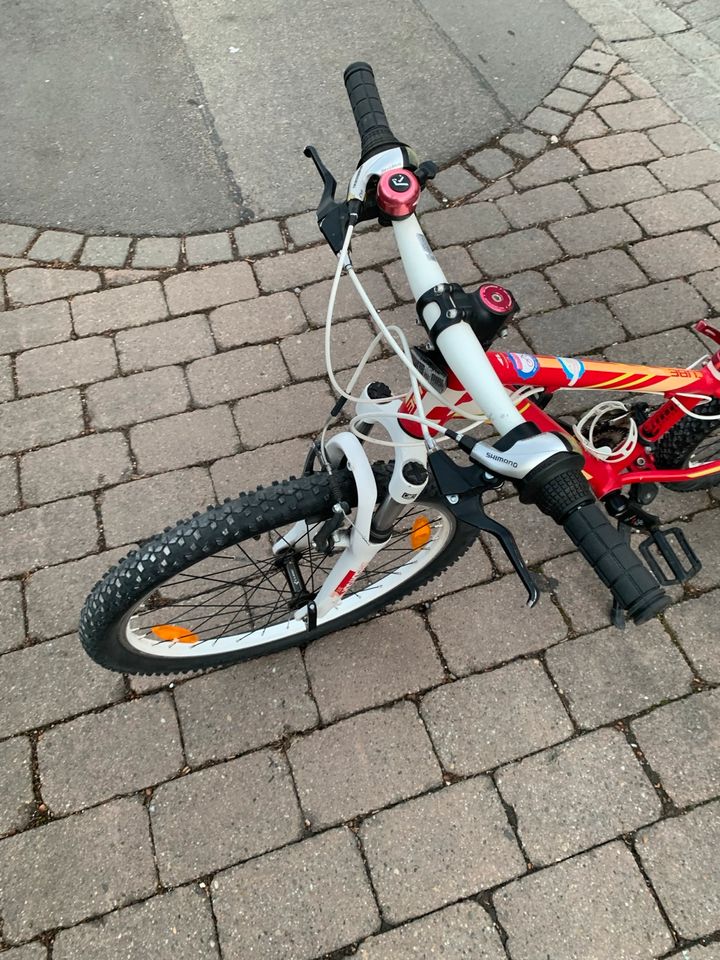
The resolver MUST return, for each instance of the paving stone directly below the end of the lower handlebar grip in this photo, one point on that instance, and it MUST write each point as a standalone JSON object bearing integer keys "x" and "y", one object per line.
{"x": 608, "y": 675}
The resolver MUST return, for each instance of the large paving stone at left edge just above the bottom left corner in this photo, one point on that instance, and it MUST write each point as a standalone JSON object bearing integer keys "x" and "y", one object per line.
{"x": 107, "y": 853}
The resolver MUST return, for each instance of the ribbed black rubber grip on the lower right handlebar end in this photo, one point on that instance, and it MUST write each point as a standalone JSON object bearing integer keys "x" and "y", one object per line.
{"x": 635, "y": 588}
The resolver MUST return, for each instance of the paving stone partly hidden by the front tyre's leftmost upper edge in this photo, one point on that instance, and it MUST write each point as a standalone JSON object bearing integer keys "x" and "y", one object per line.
{"x": 55, "y": 594}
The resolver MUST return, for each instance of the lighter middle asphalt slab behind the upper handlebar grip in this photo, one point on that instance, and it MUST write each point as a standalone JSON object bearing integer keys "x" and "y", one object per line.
{"x": 274, "y": 84}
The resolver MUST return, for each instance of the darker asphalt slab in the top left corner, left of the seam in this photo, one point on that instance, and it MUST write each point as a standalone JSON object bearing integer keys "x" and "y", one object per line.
{"x": 102, "y": 127}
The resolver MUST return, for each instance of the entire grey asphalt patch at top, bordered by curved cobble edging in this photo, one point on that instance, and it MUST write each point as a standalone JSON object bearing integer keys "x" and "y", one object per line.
{"x": 179, "y": 116}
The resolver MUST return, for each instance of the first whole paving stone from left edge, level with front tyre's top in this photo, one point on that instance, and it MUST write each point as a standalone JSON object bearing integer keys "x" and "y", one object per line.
{"x": 75, "y": 466}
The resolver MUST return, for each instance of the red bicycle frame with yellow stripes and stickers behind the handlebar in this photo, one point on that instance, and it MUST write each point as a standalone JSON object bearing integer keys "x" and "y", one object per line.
{"x": 691, "y": 386}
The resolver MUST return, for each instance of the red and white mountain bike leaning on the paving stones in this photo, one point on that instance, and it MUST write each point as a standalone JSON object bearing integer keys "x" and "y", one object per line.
{"x": 306, "y": 556}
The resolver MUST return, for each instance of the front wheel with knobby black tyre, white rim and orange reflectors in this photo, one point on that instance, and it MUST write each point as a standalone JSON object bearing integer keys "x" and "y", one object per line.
{"x": 211, "y": 590}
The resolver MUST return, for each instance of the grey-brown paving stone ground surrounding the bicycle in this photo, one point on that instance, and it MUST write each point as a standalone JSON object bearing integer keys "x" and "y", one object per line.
{"x": 459, "y": 777}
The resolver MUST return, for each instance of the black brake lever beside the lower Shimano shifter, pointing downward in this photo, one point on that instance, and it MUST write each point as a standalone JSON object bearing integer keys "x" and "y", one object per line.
{"x": 462, "y": 488}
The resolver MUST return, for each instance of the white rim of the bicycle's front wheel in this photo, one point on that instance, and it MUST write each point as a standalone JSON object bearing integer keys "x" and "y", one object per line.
{"x": 443, "y": 528}
